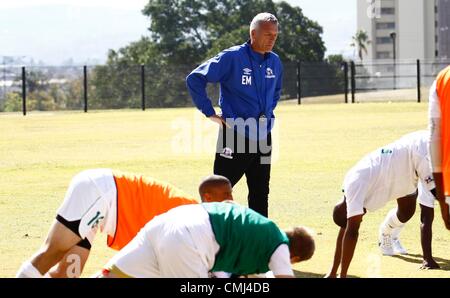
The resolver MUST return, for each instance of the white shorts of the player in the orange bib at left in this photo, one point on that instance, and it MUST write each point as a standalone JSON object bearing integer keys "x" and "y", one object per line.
{"x": 91, "y": 199}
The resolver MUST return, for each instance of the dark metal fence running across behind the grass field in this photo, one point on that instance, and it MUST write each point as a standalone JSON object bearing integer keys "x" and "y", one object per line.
{"x": 47, "y": 88}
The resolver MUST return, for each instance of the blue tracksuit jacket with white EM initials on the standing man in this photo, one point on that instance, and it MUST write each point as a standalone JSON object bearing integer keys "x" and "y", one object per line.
{"x": 250, "y": 85}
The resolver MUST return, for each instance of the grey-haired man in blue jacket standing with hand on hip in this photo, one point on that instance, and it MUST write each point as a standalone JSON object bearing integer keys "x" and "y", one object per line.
{"x": 250, "y": 77}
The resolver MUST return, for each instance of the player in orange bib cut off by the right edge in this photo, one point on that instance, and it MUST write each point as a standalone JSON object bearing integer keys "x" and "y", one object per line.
{"x": 439, "y": 117}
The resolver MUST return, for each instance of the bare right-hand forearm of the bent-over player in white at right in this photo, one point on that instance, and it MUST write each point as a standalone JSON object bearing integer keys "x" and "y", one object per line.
{"x": 349, "y": 241}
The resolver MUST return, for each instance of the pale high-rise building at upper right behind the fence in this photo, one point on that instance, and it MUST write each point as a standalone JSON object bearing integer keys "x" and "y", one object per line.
{"x": 418, "y": 28}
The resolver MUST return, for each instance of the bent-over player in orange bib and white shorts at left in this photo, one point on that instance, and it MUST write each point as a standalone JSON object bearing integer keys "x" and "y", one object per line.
{"x": 118, "y": 204}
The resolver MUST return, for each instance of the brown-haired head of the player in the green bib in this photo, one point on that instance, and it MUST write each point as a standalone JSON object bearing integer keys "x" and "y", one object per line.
{"x": 301, "y": 244}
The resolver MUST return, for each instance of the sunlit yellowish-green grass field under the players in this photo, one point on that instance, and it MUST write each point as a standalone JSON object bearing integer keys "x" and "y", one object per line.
{"x": 317, "y": 144}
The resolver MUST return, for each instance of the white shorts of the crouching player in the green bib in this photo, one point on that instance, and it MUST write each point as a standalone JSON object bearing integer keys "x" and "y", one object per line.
{"x": 179, "y": 243}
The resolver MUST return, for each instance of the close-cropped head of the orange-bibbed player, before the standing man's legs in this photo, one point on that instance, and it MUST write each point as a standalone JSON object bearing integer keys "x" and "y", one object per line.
{"x": 215, "y": 188}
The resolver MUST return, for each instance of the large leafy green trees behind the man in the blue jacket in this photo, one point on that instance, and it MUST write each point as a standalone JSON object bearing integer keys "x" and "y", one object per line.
{"x": 184, "y": 33}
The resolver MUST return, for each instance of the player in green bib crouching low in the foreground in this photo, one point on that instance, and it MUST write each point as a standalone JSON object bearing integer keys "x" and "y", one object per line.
{"x": 199, "y": 240}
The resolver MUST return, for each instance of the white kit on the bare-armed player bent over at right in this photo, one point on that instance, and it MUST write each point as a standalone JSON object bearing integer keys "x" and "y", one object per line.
{"x": 388, "y": 173}
